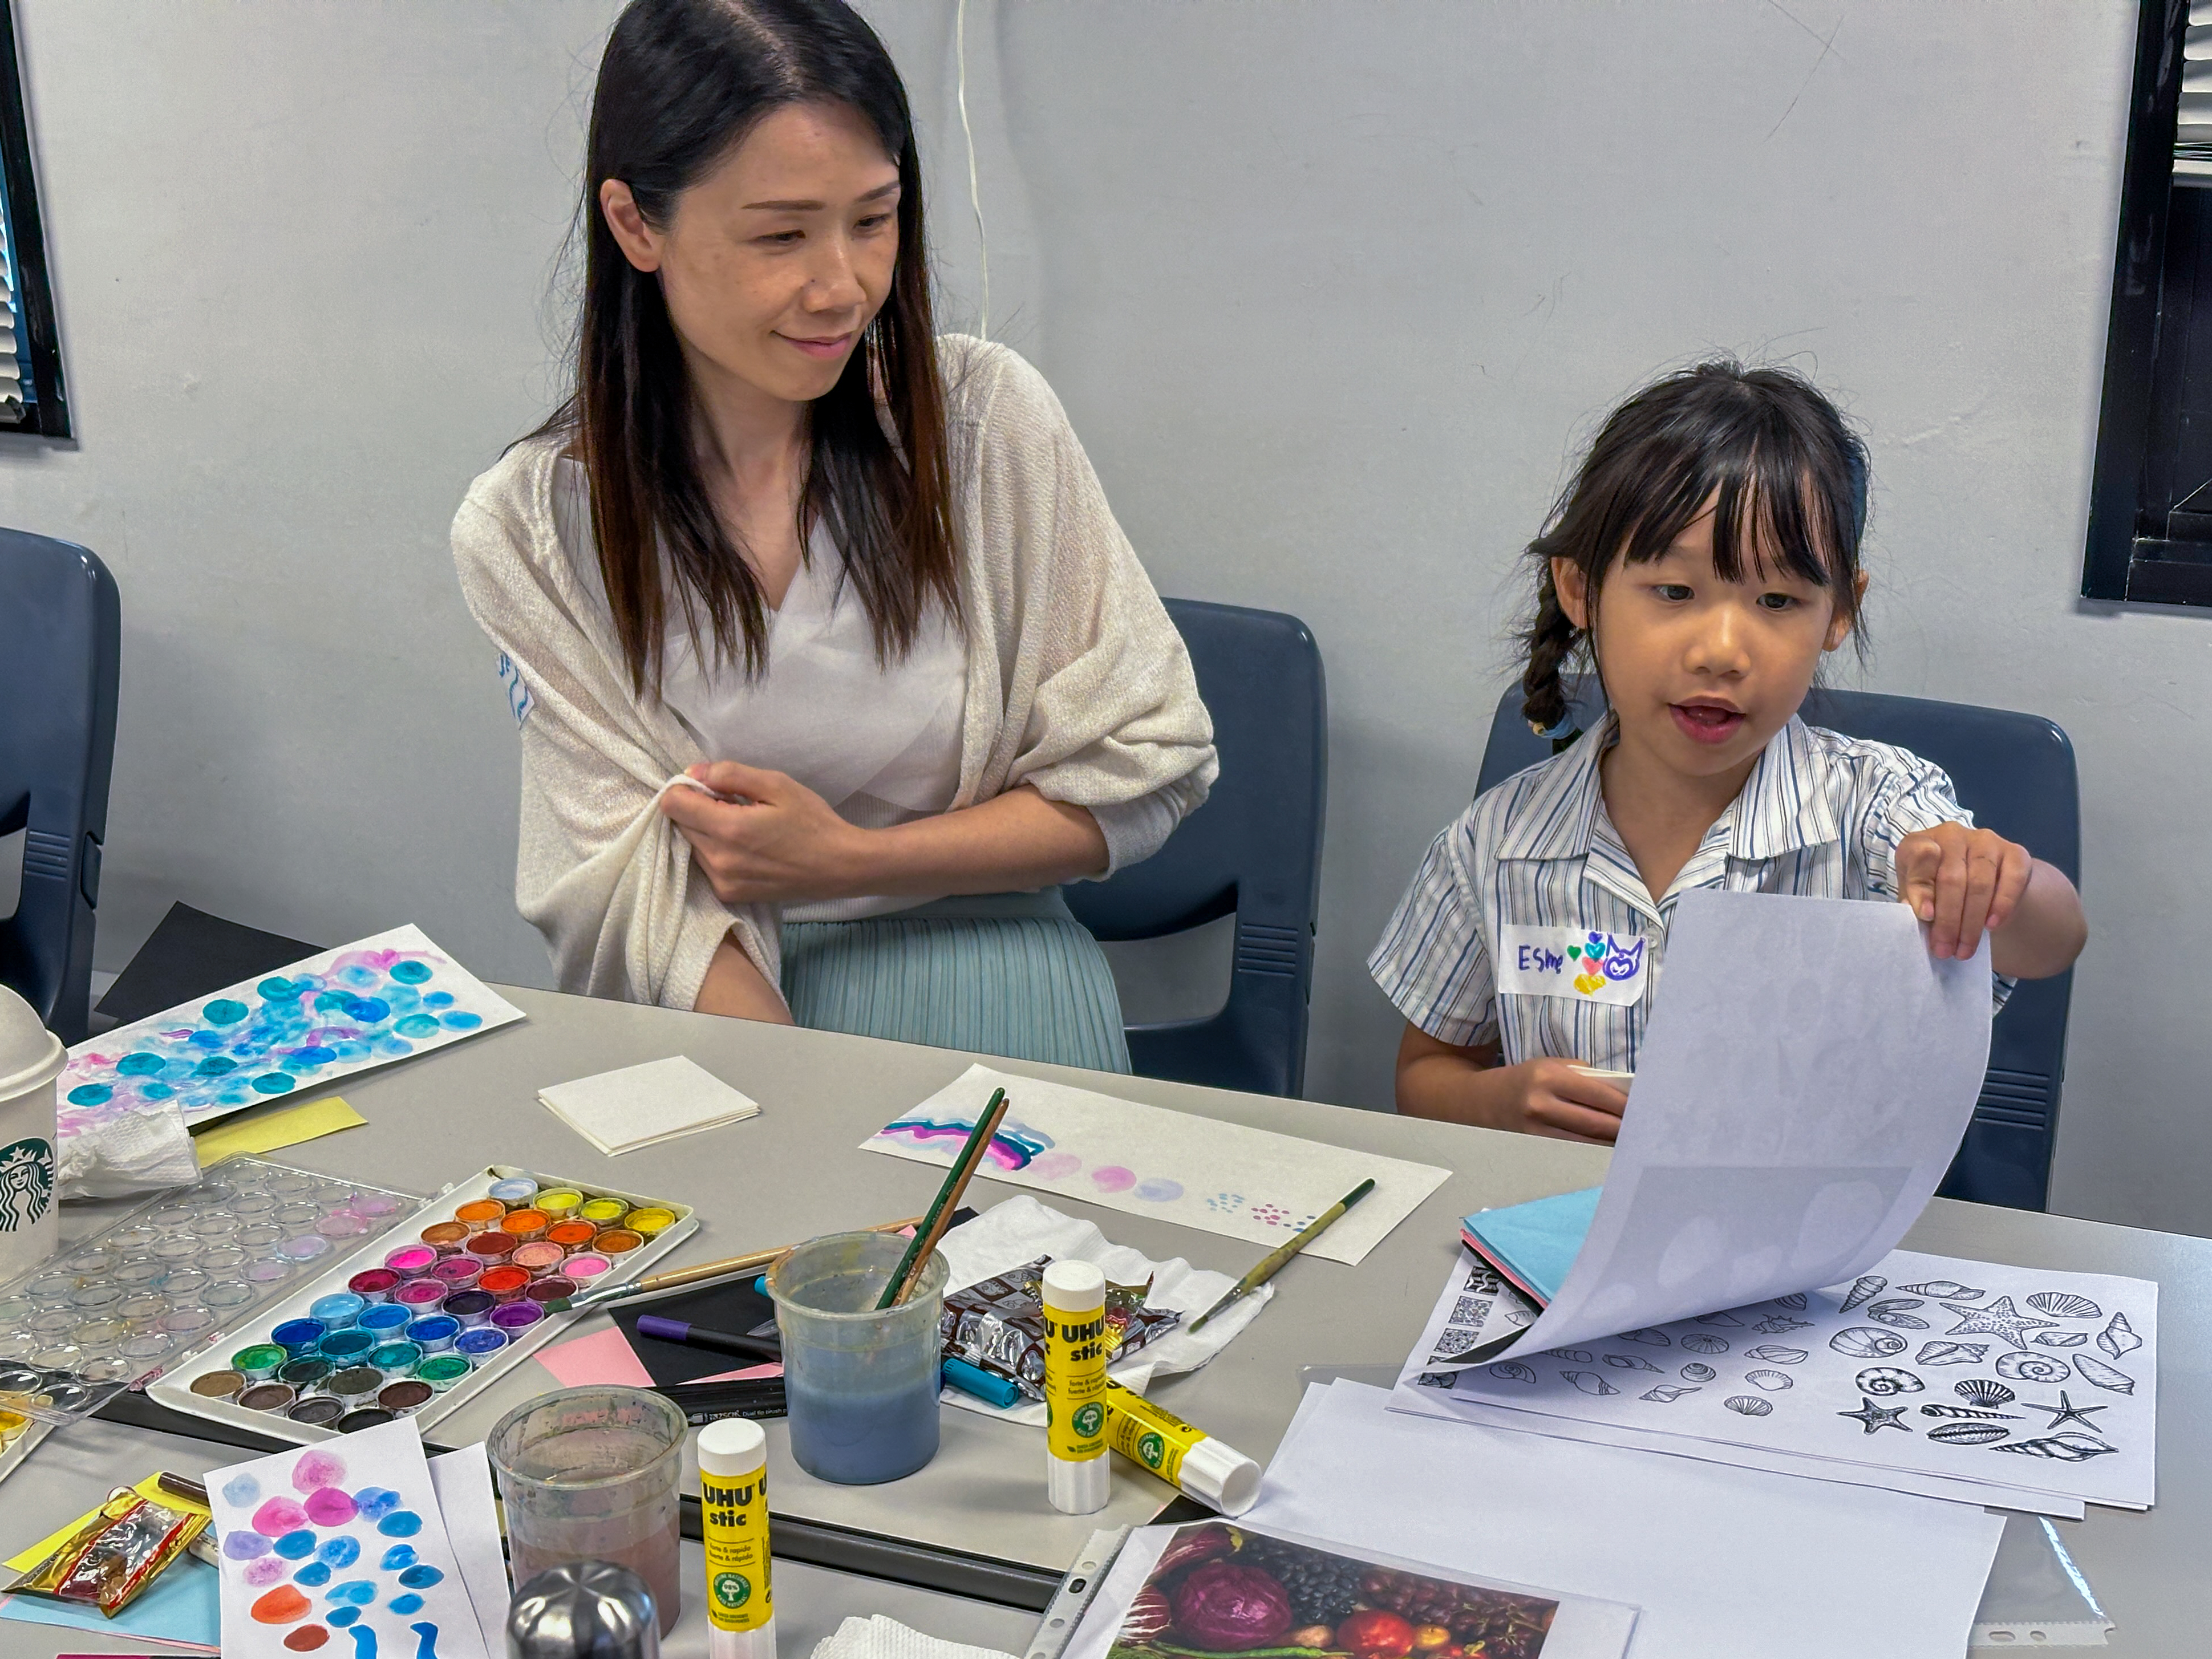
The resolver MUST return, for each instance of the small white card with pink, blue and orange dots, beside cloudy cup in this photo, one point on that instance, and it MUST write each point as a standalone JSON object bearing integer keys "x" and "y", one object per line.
{"x": 342, "y": 1550}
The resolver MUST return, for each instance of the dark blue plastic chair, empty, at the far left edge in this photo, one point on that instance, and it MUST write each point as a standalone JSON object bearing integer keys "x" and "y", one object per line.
{"x": 61, "y": 645}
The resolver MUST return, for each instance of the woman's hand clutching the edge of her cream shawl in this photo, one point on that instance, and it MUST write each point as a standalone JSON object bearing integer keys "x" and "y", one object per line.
{"x": 775, "y": 844}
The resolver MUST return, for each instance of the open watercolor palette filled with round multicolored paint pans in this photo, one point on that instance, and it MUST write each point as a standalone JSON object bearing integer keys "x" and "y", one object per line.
{"x": 424, "y": 1319}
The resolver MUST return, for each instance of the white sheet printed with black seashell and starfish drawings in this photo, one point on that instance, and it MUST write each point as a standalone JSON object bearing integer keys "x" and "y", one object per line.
{"x": 1926, "y": 1366}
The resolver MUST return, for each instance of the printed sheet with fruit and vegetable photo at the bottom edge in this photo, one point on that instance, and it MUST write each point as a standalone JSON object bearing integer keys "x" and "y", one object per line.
{"x": 1578, "y": 1627}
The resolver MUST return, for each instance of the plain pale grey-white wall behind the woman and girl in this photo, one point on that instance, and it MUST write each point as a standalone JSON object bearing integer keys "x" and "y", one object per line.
{"x": 1328, "y": 286}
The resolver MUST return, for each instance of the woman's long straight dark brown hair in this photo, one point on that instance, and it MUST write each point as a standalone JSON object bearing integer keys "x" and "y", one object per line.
{"x": 682, "y": 83}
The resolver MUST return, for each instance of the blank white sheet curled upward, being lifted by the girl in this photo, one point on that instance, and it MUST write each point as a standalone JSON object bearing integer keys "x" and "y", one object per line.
{"x": 1802, "y": 1089}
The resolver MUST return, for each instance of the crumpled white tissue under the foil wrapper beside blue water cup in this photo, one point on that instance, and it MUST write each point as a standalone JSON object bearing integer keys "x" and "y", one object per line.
{"x": 1019, "y": 1231}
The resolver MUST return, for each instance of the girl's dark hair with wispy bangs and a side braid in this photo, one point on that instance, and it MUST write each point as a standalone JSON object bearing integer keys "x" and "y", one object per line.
{"x": 1788, "y": 474}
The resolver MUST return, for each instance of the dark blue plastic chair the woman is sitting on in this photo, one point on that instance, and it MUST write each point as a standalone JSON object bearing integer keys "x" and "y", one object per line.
{"x": 1253, "y": 851}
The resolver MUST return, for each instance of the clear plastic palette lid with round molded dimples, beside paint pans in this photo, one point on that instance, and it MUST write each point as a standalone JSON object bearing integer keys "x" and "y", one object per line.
{"x": 171, "y": 1275}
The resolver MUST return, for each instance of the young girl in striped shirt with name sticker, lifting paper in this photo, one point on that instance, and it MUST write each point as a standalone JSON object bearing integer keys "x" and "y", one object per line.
{"x": 1702, "y": 563}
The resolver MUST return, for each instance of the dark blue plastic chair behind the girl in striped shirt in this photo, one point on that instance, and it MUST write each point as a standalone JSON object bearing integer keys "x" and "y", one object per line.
{"x": 2016, "y": 775}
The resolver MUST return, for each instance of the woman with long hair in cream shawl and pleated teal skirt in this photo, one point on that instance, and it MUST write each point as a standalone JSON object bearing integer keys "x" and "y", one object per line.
{"x": 817, "y": 618}
